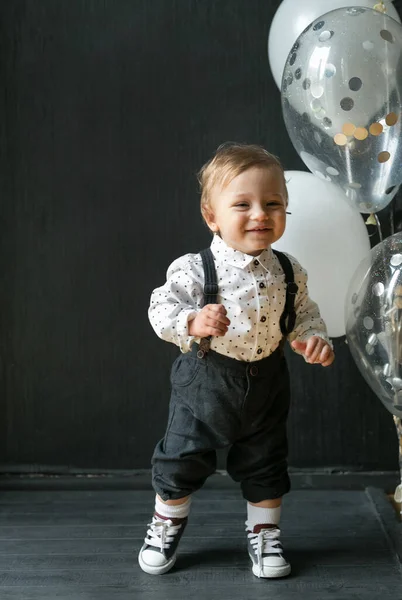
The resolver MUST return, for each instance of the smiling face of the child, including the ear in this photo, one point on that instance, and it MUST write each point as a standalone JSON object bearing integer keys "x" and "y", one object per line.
{"x": 249, "y": 213}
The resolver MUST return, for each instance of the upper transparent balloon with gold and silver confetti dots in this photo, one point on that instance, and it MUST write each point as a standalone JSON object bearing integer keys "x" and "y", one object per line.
{"x": 341, "y": 99}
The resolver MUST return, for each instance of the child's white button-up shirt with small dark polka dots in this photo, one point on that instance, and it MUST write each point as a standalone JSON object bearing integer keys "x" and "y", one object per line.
{"x": 253, "y": 291}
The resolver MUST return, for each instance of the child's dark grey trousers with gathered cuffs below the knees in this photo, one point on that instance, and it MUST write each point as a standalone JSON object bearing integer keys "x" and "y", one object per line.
{"x": 220, "y": 402}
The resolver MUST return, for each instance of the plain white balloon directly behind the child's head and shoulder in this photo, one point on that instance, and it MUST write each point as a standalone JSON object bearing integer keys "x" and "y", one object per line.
{"x": 329, "y": 239}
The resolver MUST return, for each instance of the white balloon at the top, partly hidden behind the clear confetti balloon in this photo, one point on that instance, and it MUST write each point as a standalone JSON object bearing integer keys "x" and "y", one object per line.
{"x": 293, "y": 16}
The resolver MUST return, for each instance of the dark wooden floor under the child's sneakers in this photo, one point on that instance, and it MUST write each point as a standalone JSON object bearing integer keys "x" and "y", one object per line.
{"x": 81, "y": 545}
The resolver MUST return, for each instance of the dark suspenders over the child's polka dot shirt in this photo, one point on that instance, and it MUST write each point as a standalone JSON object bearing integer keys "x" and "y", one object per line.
{"x": 288, "y": 317}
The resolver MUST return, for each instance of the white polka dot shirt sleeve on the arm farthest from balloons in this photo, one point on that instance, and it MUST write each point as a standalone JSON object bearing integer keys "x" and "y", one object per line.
{"x": 177, "y": 302}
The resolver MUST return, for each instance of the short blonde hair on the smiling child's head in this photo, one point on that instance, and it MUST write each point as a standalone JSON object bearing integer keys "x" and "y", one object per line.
{"x": 230, "y": 160}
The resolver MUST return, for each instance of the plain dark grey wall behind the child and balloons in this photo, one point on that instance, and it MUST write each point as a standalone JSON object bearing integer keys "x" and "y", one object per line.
{"x": 108, "y": 108}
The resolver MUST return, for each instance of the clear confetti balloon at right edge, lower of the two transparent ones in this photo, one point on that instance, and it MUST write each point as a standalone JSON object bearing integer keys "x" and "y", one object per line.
{"x": 373, "y": 315}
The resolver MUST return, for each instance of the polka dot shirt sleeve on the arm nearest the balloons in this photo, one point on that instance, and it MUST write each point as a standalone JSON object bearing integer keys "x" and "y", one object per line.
{"x": 308, "y": 318}
